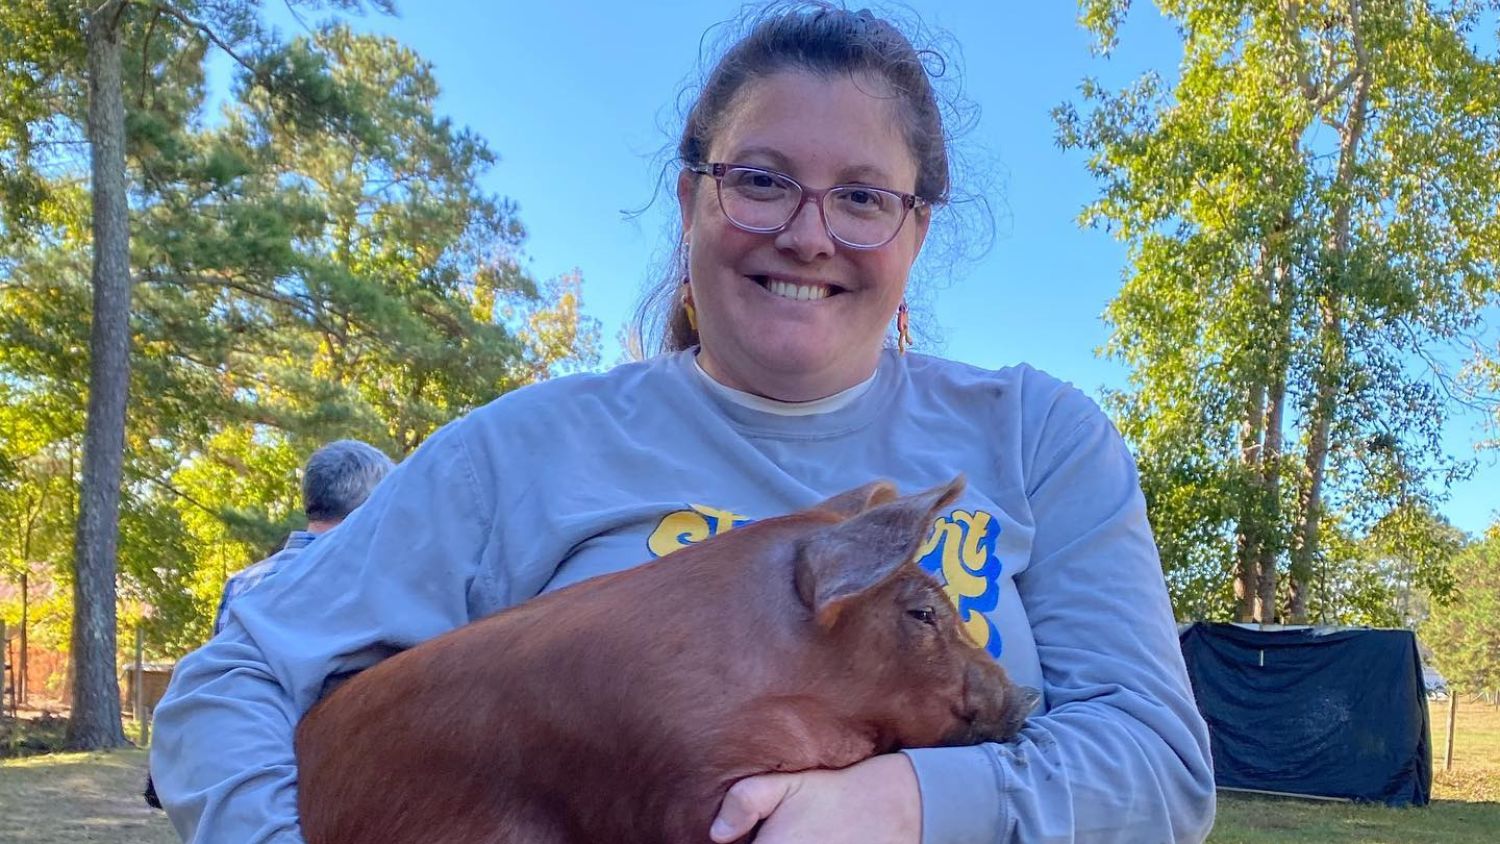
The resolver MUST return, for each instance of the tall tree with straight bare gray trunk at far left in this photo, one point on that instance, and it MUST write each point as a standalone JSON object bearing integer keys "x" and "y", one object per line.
{"x": 86, "y": 70}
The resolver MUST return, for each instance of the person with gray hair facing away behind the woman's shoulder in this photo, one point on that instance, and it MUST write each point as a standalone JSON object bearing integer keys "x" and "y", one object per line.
{"x": 337, "y": 479}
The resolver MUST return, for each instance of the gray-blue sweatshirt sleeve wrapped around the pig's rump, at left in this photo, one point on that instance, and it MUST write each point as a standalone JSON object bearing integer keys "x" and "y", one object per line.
{"x": 395, "y": 573}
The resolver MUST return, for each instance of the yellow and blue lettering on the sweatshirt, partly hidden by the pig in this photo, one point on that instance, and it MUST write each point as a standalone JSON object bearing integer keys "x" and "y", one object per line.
{"x": 959, "y": 552}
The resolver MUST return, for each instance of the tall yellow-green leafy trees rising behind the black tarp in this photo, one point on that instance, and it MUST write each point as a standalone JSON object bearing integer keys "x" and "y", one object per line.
{"x": 1310, "y": 215}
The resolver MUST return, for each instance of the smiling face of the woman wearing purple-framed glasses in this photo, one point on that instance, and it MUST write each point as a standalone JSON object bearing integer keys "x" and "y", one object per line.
{"x": 821, "y": 131}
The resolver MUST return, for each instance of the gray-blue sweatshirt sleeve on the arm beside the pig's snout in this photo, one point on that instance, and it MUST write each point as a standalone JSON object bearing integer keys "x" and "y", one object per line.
{"x": 1123, "y": 753}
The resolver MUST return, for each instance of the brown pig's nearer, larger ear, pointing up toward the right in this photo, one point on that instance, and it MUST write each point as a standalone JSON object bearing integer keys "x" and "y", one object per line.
{"x": 844, "y": 561}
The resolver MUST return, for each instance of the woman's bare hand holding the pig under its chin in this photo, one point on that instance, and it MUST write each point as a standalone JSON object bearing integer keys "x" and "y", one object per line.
{"x": 872, "y": 803}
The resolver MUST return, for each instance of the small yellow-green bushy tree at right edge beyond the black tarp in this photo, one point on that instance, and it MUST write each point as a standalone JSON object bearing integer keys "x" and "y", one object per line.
{"x": 1465, "y": 633}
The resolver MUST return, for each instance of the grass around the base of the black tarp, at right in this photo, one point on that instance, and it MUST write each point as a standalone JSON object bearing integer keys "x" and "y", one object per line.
{"x": 1465, "y": 810}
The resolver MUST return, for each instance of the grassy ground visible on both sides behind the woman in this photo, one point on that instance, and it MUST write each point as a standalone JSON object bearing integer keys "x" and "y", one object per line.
{"x": 91, "y": 797}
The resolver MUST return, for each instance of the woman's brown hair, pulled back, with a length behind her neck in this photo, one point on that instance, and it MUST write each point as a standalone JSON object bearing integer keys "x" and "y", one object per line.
{"x": 818, "y": 38}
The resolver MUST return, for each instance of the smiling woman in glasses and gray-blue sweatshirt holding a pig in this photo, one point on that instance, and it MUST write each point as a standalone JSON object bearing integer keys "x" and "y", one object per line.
{"x": 812, "y": 164}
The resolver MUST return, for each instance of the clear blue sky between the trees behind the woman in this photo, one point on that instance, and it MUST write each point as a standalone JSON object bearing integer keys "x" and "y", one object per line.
{"x": 581, "y": 100}
